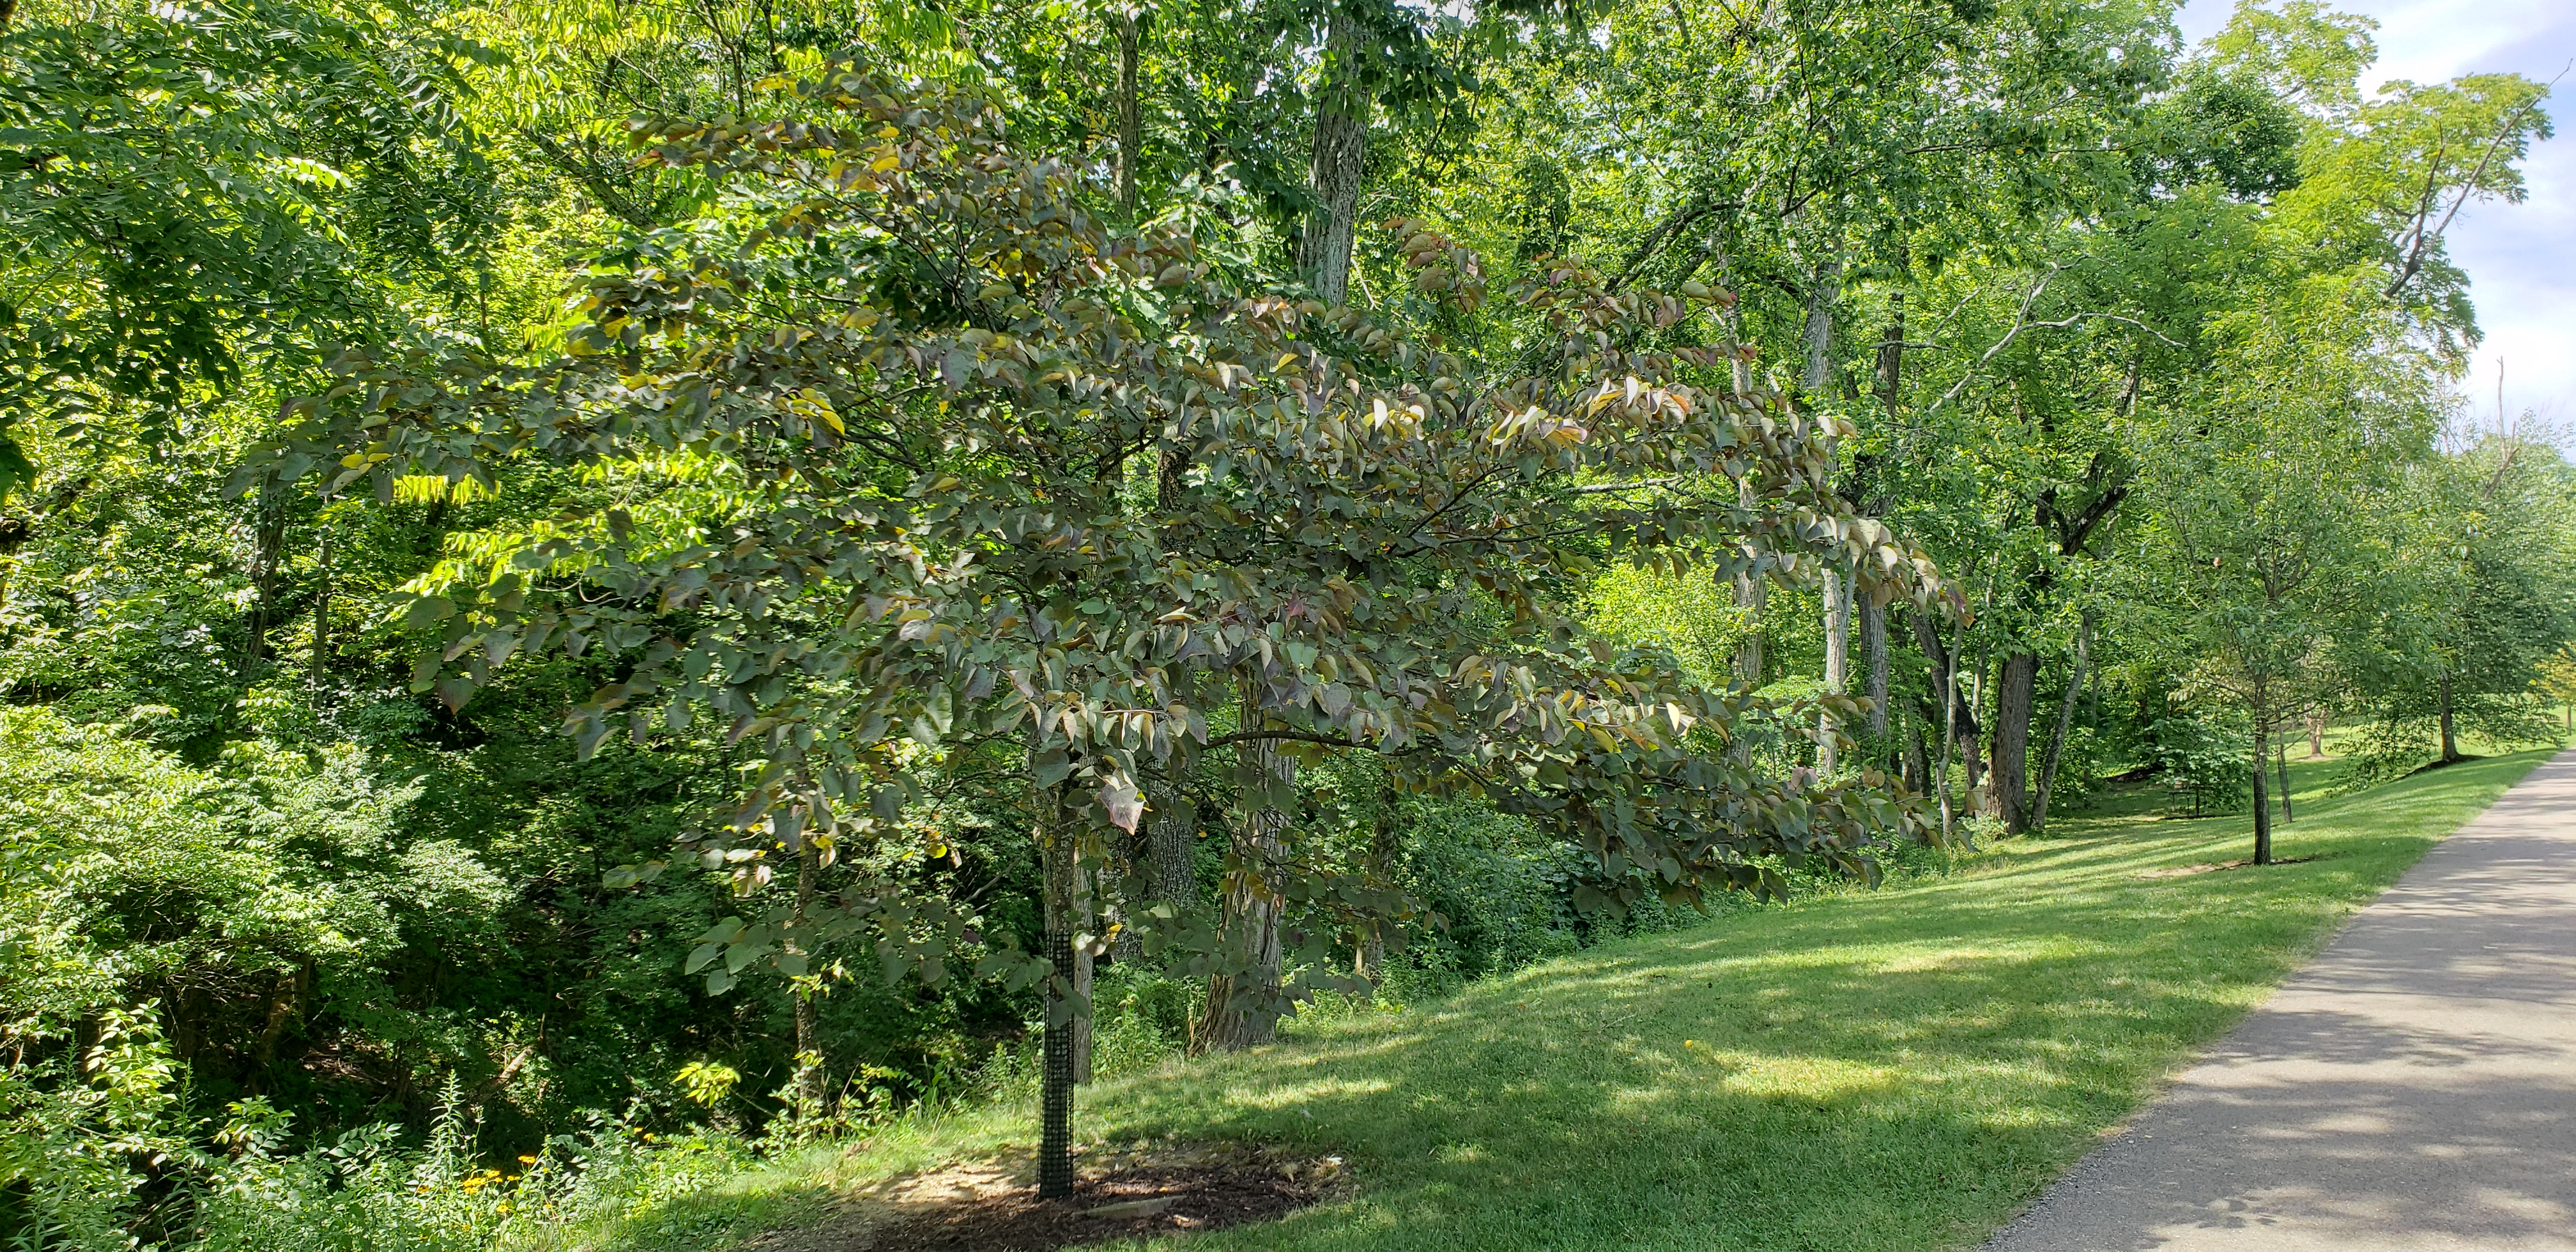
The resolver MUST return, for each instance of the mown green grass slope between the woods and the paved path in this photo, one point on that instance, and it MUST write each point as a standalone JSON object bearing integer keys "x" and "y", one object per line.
{"x": 1889, "y": 1070}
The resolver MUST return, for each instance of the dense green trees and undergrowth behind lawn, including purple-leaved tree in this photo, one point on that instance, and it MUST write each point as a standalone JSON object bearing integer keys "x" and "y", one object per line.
{"x": 599, "y": 571}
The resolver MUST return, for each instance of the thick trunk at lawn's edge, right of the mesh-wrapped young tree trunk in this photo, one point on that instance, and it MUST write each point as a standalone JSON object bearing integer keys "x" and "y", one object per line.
{"x": 1245, "y": 1001}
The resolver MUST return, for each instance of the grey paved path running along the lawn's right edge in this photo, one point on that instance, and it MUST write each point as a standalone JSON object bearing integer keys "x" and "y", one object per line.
{"x": 2415, "y": 1088}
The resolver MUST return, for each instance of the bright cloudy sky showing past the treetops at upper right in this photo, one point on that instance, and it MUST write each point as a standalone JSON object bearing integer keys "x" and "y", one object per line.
{"x": 2521, "y": 259}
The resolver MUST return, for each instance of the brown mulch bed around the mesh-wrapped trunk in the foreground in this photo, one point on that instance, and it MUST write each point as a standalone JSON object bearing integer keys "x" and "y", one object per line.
{"x": 1127, "y": 1197}
